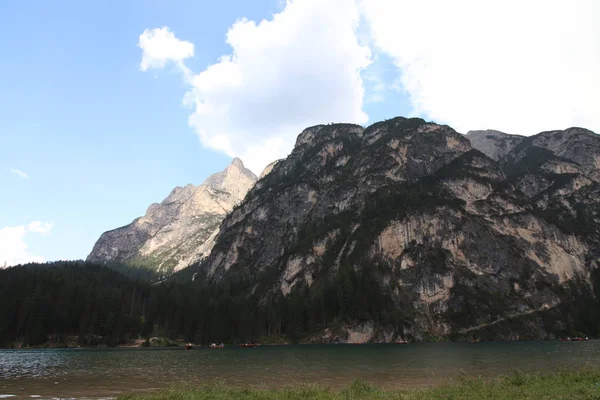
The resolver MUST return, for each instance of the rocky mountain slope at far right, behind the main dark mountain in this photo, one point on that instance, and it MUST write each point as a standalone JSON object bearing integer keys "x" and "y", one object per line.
{"x": 559, "y": 173}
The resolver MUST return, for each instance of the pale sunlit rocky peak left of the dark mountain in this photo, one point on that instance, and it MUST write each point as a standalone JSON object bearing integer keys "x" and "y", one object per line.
{"x": 181, "y": 229}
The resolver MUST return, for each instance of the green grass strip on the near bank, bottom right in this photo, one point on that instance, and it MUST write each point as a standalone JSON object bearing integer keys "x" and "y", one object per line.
{"x": 584, "y": 384}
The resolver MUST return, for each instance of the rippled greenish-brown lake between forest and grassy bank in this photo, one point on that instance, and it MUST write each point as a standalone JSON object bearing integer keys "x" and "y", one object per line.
{"x": 102, "y": 373}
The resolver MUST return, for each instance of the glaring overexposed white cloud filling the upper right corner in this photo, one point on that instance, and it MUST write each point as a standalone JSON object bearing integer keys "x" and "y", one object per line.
{"x": 517, "y": 66}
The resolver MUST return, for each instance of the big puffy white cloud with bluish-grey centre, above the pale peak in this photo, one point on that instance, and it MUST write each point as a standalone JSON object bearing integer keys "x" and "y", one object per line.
{"x": 300, "y": 68}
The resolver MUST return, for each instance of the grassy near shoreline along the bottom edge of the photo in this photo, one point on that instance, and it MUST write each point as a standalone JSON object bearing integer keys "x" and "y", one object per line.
{"x": 583, "y": 383}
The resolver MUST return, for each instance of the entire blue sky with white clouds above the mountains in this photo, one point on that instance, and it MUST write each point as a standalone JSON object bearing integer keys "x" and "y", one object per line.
{"x": 107, "y": 105}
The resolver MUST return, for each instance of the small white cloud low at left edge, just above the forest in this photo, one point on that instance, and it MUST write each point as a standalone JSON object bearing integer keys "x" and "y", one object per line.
{"x": 13, "y": 248}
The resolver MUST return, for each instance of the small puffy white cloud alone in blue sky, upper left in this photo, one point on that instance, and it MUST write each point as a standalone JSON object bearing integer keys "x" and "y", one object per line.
{"x": 160, "y": 46}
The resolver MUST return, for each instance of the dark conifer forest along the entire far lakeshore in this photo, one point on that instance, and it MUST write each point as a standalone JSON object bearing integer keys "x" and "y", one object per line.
{"x": 97, "y": 305}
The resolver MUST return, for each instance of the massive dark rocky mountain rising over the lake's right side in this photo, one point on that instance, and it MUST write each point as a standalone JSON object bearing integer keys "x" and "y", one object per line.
{"x": 488, "y": 235}
